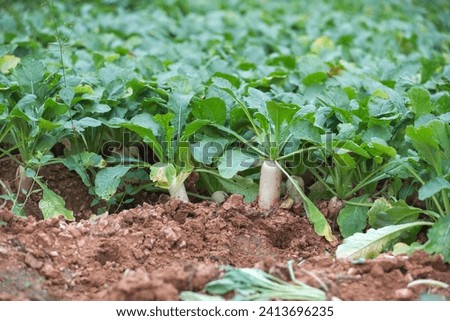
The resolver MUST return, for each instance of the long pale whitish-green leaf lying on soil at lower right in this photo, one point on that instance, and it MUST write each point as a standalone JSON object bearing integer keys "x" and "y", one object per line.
{"x": 368, "y": 245}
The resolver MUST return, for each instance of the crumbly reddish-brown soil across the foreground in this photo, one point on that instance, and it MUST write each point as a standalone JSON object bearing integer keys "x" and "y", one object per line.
{"x": 152, "y": 252}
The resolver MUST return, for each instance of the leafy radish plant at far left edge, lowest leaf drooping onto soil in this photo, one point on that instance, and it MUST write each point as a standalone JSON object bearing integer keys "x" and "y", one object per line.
{"x": 35, "y": 125}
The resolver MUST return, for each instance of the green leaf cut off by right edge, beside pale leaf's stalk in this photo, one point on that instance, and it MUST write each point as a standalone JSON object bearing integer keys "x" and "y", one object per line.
{"x": 439, "y": 238}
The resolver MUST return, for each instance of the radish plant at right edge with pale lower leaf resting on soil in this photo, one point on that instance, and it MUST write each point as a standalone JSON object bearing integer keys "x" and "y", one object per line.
{"x": 396, "y": 221}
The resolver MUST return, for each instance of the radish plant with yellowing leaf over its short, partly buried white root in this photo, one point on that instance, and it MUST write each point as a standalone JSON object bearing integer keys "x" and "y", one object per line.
{"x": 167, "y": 136}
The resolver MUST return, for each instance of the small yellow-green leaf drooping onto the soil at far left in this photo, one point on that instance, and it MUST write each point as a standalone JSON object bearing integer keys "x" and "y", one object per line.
{"x": 53, "y": 205}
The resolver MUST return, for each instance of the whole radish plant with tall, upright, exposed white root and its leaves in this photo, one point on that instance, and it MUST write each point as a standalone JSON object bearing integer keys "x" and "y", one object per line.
{"x": 276, "y": 137}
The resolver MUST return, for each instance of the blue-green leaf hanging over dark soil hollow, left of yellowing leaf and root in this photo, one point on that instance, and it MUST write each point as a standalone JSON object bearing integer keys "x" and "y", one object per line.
{"x": 108, "y": 179}
